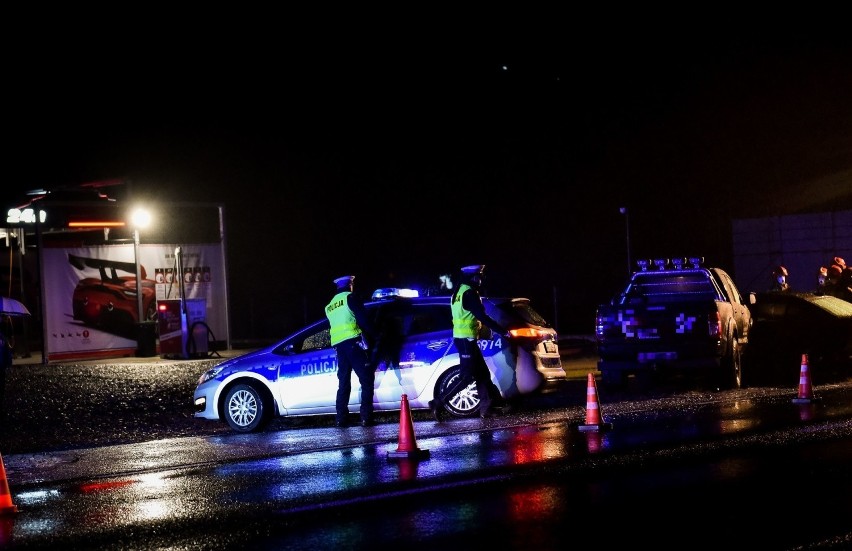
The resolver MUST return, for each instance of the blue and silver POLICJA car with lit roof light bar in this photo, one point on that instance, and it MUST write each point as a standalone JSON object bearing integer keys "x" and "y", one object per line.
{"x": 414, "y": 355}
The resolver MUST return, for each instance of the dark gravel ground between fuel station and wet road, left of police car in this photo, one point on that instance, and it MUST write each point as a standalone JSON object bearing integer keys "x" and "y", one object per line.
{"x": 86, "y": 404}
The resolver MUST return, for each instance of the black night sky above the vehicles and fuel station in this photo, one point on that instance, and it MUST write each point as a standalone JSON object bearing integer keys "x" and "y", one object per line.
{"x": 398, "y": 157}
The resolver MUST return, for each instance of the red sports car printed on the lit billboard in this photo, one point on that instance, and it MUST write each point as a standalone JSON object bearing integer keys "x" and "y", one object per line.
{"x": 109, "y": 302}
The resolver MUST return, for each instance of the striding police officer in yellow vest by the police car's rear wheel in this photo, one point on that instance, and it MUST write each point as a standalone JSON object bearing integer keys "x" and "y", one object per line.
{"x": 468, "y": 317}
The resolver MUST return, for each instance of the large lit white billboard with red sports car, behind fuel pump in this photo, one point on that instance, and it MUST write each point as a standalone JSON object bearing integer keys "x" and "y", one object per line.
{"x": 91, "y": 294}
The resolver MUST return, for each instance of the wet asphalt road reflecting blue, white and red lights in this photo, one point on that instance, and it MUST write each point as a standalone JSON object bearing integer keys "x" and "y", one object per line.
{"x": 671, "y": 470}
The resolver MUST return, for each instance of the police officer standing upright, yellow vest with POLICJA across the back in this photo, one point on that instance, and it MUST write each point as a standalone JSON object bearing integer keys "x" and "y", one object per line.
{"x": 348, "y": 320}
